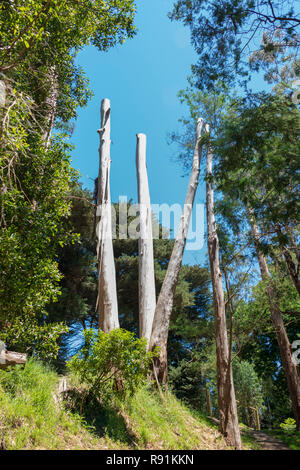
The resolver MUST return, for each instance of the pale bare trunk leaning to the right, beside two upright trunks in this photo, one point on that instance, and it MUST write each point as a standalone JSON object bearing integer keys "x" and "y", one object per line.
{"x": 159, "y": 335}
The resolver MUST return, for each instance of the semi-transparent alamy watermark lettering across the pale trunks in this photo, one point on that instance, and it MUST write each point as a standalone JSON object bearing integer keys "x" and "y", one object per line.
{"x": 165, "y": 220}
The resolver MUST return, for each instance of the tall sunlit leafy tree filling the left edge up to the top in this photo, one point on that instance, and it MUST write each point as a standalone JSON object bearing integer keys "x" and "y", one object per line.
{"x": 42, "y": 88}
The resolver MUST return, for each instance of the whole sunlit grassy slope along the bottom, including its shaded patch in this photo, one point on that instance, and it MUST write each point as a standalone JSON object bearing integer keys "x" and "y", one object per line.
{"x": 31, "y": 418}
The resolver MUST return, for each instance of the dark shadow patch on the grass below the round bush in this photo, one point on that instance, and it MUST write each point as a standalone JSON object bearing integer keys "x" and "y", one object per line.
{"x": 104, "y": 419}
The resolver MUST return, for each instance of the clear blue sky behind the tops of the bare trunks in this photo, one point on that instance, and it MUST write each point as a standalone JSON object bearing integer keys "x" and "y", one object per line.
{"x": 141, "y": 78}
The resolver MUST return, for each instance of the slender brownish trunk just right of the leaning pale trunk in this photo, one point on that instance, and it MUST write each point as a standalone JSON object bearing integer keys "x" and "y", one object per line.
{"x": 229, "y": 425}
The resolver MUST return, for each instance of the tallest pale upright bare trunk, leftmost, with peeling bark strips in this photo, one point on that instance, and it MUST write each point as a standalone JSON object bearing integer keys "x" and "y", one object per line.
{"x": 107, "y": 291}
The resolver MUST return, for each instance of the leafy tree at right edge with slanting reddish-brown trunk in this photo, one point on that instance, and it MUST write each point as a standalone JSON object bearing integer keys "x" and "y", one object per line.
{"x": 257, "y": 168}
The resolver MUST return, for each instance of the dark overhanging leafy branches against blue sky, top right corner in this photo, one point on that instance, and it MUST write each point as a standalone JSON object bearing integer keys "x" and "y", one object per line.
{"x": 224, "y": 31}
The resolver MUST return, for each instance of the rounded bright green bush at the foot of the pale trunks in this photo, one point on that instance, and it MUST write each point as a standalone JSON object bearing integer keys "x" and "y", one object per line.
{"x": 114, "y": 363}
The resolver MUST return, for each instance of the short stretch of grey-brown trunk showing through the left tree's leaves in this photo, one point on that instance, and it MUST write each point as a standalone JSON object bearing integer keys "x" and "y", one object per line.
{"x": 50, "y": 106}
